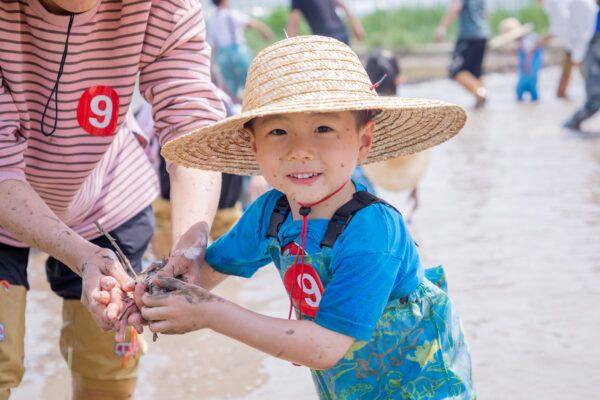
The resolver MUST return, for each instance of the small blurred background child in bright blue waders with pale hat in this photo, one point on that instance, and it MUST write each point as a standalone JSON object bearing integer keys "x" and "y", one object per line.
{"x": 530, "y": 53}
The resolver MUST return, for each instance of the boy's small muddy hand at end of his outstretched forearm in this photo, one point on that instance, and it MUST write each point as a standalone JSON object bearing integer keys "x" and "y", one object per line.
{"x": 184, "y": 308}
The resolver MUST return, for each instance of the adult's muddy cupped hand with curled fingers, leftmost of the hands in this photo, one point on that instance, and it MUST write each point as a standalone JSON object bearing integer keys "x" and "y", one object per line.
{"x": 104, "y": 287}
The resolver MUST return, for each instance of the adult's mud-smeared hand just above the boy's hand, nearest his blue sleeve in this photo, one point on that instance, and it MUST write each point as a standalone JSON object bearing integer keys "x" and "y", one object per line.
{"x": 187, "y": 257}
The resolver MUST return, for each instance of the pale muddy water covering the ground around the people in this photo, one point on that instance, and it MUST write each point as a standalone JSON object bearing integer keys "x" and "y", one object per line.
{"x": 511, "y": 207}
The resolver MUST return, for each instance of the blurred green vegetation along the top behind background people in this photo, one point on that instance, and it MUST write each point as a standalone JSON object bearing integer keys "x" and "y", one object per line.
{"x": 403, "y": 29}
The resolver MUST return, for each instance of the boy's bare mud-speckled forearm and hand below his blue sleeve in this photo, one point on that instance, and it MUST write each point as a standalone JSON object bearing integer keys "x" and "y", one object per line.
{"x": 187, "y": 308}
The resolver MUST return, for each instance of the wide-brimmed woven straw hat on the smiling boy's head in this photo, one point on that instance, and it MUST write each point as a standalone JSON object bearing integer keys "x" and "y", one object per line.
{"x": 314, "y": 74}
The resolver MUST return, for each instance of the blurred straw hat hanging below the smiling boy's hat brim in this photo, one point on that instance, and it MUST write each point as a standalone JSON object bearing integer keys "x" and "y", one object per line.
{"x": 395, "y": 174}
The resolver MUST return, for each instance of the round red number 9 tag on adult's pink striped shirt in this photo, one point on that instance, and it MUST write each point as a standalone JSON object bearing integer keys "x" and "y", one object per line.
{"x": 97, "y": 111}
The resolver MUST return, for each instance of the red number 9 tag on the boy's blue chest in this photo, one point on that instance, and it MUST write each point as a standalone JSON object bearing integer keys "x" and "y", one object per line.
{"x": 305, "y": 287}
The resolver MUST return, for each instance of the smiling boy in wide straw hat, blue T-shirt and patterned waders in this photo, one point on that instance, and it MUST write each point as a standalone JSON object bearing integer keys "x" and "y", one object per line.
{"x": 372, "y": 322}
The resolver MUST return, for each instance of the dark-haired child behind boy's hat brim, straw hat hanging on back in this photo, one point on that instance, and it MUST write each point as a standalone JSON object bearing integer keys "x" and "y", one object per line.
{"x": 401, "y": 173}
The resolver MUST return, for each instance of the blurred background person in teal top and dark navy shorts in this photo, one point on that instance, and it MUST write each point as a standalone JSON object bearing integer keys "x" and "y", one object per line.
{"x": 473, "y": 33}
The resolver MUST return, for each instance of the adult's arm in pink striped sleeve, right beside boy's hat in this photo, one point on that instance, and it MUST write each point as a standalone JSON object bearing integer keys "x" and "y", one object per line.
{"x": 175, "y": 78}
